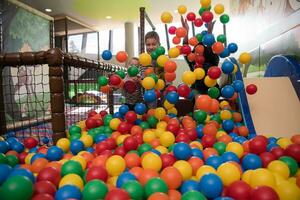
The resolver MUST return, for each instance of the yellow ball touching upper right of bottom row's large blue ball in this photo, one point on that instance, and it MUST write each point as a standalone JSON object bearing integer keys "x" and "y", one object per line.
{"x": 229, "y": 173}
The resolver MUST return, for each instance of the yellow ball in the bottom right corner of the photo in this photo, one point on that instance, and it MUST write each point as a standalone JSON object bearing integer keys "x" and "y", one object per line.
{"x": 288, "y": 191}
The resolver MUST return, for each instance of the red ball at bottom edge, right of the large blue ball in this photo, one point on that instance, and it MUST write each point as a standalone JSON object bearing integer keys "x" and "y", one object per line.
{"x": 239, "y": 190}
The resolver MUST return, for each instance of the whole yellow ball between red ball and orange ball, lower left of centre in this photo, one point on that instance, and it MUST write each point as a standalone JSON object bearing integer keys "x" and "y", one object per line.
{"x": 115, "y": 165}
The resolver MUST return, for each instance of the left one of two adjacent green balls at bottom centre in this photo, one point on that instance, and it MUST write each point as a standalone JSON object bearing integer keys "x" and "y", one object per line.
{"x": 134, "y": 189}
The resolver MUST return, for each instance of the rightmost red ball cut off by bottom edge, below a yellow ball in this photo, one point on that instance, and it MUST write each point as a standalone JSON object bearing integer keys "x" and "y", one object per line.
{"x": 264, "y": 193}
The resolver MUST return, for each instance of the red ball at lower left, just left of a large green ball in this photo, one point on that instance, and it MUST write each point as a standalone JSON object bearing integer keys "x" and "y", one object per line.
{"x": 49, "y": 174}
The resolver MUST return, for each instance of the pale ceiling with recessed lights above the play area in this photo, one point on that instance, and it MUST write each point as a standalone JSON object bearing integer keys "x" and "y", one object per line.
{"x": 93, "y": 12}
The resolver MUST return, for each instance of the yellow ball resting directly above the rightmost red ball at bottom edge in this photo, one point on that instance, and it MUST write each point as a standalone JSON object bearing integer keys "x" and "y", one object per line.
{"x": 261, "y": 177}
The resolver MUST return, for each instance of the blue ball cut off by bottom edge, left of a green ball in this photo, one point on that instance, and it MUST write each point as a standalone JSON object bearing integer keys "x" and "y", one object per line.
{"x": 68, "y": 192}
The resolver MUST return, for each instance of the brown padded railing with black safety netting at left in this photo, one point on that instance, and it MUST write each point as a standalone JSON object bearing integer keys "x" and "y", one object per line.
{"x": 45, "y": 92}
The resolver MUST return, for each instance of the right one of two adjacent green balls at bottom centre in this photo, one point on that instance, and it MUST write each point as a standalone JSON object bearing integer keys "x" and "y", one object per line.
{"x": 155, "y": 185}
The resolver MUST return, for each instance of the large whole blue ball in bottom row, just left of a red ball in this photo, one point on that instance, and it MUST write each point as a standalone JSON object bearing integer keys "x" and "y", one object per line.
{"x": 211, "y": 185}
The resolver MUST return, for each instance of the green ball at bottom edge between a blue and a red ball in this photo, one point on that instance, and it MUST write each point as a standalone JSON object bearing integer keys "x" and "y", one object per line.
{"x": 94, "y": 189}
